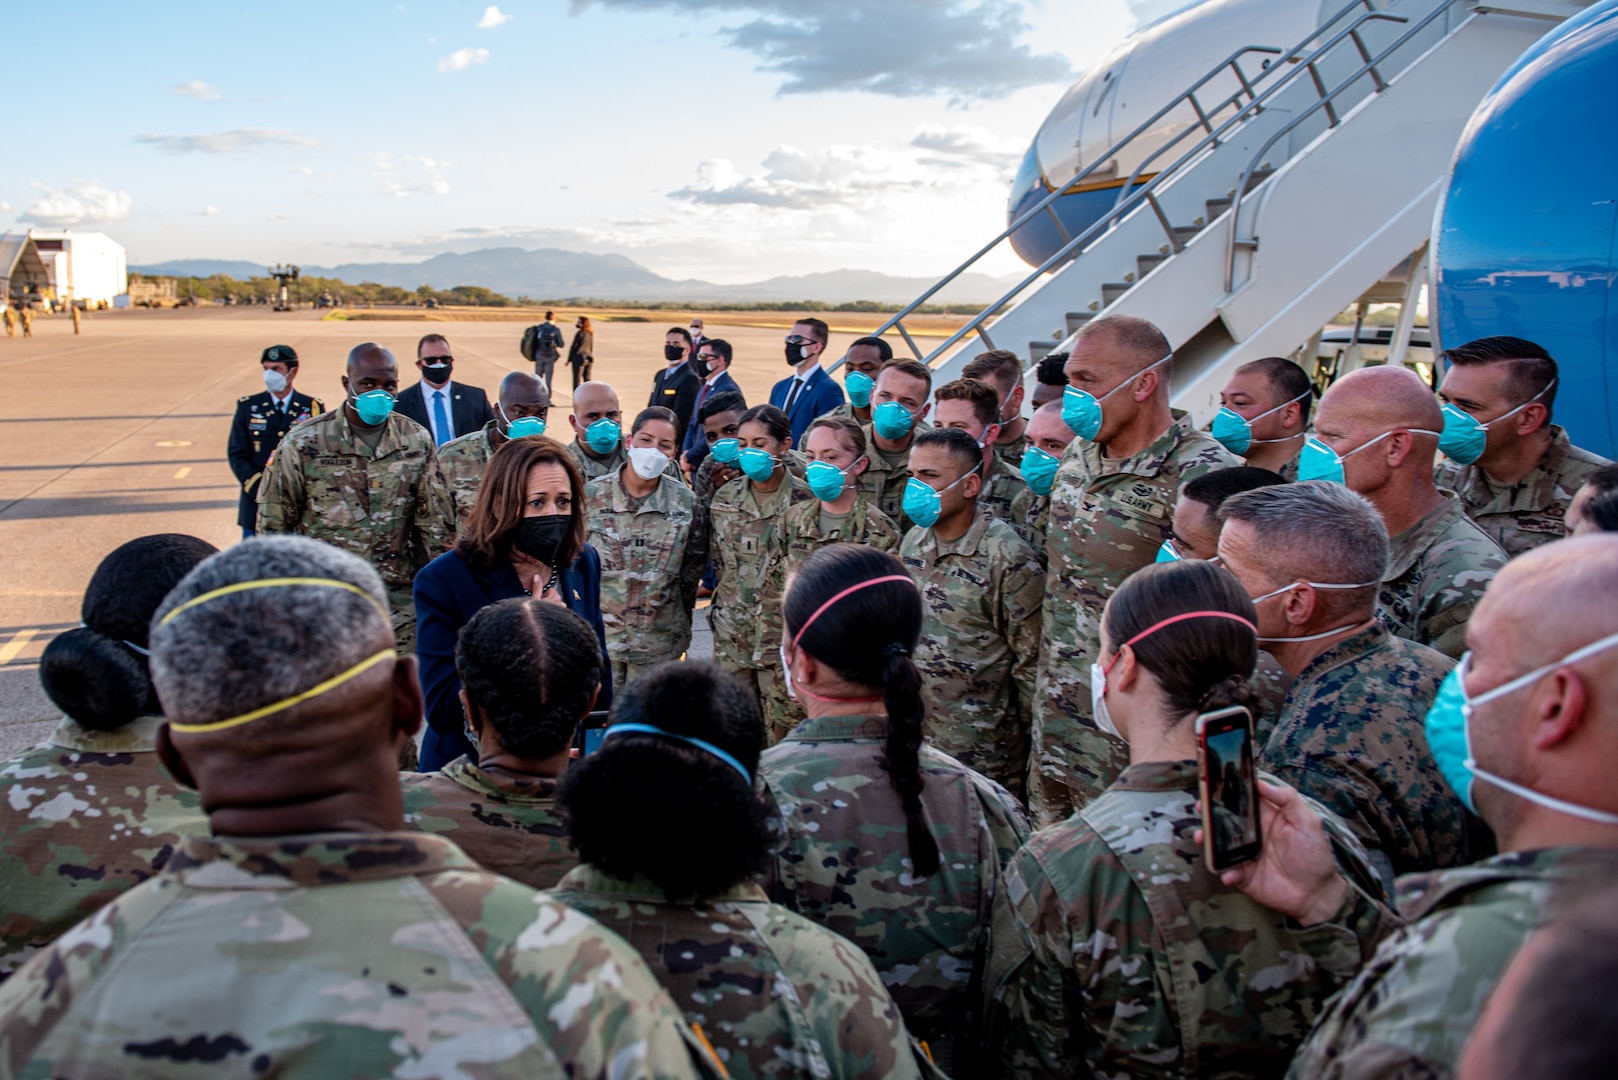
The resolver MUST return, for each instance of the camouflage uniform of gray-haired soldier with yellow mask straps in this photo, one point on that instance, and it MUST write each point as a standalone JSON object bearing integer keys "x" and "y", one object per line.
{"x": 337, "y": 955}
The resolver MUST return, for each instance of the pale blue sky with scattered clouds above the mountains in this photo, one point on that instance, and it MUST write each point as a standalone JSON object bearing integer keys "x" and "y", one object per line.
{"x": 729, "y": 140}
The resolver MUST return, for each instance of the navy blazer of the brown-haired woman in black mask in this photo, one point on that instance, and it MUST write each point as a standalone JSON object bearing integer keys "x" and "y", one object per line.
{"x": 449, "y": 593}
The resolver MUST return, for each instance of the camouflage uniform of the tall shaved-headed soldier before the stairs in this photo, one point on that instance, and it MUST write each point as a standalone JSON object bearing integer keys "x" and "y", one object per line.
{"x": 1108, "y": 521}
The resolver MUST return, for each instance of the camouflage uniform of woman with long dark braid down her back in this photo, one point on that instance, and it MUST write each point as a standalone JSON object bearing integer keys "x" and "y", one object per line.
{"x": 845, "y": 862}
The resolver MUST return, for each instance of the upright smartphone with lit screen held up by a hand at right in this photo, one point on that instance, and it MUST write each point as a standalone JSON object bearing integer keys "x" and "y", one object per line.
{"x": 1230, "y": 793}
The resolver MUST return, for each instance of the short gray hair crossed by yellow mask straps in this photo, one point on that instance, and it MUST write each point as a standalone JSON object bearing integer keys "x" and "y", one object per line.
{"x": 240, "y": 652}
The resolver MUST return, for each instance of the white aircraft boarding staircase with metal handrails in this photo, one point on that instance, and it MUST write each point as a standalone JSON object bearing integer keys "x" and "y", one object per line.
{"x": 1339, "y": 148}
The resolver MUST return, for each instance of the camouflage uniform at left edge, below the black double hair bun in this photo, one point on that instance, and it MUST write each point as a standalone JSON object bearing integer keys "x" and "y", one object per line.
{"x": 83, "y": 819}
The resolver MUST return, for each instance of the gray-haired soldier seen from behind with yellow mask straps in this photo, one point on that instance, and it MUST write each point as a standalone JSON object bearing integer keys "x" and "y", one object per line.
{"x": 318, "y": 938}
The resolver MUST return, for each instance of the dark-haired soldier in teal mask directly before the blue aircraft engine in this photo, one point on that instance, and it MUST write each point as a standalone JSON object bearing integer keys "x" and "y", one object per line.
{"x": 1518, "y": 480}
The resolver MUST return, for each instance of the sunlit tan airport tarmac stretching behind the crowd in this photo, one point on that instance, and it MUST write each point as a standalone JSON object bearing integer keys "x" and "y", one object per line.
{"x": 121, "y": 433}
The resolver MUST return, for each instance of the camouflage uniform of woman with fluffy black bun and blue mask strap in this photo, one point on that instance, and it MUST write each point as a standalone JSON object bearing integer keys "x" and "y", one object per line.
{"x": 774, "y": 993}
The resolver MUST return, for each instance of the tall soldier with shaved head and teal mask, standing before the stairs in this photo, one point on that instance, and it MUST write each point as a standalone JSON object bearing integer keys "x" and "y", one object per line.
{"x": 1109, "y": 514}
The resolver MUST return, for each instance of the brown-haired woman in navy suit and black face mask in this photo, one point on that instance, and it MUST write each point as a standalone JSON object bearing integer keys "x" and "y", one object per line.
{"x": 525, "y": 537}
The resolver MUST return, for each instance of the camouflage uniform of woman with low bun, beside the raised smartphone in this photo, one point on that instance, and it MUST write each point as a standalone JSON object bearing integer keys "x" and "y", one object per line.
{"x": 1117, "y": 953}
